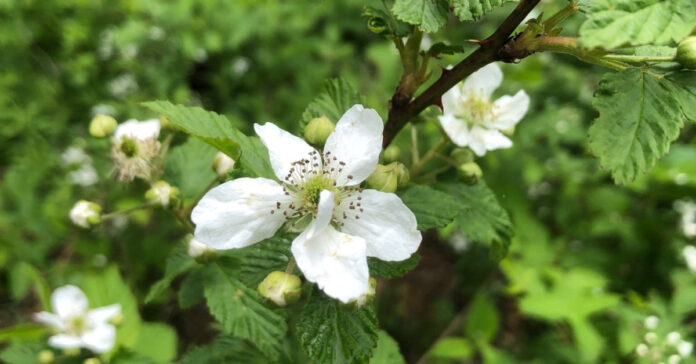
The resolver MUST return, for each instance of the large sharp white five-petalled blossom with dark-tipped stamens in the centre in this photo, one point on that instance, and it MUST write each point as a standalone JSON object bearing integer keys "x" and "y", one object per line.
{"x": 319, "y": 193}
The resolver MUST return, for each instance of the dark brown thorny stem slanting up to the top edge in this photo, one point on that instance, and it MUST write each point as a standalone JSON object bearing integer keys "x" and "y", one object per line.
{"x": 402, "y": 109}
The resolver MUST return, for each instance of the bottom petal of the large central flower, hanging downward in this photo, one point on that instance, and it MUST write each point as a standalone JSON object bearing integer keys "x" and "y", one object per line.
{"x": 335, "y": 261}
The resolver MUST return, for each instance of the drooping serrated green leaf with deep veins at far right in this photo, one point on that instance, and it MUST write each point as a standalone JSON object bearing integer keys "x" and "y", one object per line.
{"x": 630, "y": 140}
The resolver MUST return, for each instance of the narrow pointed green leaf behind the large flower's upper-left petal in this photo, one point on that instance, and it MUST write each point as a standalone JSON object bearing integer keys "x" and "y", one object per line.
{"x": 218, "y": 131}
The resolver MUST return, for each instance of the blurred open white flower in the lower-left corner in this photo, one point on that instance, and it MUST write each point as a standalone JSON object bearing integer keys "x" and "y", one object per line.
{"x": 75, "y": 325}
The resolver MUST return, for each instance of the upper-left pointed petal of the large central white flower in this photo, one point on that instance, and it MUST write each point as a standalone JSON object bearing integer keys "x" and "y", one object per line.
{"x": 284, "y": 149}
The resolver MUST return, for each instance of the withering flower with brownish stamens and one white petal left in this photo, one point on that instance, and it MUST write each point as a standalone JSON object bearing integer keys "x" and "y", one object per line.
{"x": 134, "y": 146}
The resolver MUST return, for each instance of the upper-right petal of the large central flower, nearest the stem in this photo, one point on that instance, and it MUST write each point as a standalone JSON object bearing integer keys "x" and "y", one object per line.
{"x": 357, "y": 142}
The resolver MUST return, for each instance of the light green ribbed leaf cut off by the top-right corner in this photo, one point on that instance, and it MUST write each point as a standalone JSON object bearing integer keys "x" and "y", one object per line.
{"x": 615, "y": 23}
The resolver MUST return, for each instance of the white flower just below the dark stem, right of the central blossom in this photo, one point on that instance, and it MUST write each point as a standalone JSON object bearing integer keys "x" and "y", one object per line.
{"x": 471, "y": 119}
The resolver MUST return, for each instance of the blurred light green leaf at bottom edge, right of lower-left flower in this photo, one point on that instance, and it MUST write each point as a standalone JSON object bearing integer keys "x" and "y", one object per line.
{"x": 157, "y": 341}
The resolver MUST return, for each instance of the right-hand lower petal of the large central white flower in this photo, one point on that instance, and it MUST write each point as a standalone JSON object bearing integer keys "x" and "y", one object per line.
{"x": 387, "y": 225}
